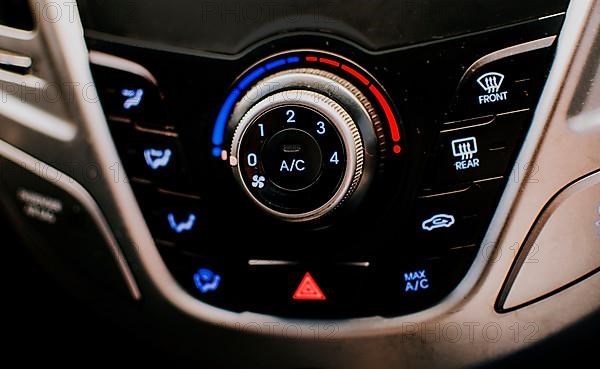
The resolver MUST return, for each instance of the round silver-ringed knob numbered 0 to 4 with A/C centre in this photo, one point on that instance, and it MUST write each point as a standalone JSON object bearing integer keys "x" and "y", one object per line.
{"x": 305, "y": 147}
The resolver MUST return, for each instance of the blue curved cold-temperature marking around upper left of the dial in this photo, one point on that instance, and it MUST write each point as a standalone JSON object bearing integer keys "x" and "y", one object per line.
{"x": 221, "y": 122}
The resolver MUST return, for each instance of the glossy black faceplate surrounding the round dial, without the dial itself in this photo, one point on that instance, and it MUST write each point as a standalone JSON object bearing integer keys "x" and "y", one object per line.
{"x": 414, "y": 238}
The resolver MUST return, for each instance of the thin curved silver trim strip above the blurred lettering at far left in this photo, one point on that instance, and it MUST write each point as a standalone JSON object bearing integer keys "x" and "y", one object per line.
{"x": 74, "y": 189}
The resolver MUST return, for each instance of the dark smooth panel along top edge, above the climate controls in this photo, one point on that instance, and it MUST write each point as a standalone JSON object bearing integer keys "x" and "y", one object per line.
{"x": 230, "y": 26}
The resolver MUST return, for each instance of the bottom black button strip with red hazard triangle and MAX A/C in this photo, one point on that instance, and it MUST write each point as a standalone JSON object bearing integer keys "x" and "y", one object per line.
{"x": 325, "y": 290}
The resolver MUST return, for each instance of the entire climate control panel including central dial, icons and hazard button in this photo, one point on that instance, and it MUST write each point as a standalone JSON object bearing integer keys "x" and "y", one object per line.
{"x": 309, "y": 177}
